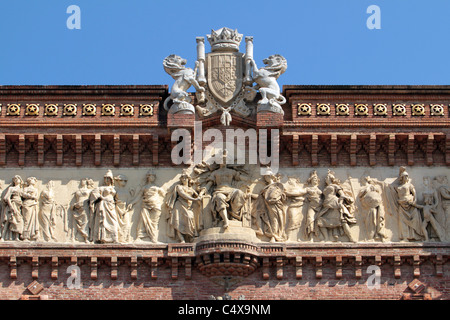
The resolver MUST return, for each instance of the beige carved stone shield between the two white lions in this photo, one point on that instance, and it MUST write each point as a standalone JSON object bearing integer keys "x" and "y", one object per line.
{"x": 225, "y": 74}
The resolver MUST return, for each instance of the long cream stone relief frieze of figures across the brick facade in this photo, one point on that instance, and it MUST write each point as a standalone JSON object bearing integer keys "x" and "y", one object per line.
{"x": 275, "y": 207}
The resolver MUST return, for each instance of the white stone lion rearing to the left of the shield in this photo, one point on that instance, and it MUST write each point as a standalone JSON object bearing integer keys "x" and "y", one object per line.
{"x": 184, "y": 78}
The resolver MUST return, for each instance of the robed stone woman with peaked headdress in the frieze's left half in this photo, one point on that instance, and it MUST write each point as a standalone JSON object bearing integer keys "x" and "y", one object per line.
{"x": 104, "y": 220}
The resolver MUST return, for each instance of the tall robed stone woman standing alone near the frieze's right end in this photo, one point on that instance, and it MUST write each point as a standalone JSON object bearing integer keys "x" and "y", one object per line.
{"x": 403, "y": 200}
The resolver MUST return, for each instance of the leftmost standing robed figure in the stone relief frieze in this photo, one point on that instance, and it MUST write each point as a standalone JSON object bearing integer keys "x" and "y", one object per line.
{"x": 12, "y": 219}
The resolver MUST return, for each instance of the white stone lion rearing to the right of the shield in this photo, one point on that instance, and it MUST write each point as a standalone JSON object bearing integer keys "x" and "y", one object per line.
{"x": 266, "y": 80}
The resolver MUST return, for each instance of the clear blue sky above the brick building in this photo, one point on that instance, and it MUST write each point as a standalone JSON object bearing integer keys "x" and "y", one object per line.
{"x": 324, "y": 41}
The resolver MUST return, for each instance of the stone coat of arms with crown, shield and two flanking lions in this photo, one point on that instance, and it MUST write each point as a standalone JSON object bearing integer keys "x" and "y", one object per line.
{"x": 225, "y": 79}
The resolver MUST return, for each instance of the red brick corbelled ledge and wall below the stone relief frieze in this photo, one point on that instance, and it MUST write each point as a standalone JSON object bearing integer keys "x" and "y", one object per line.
{"x": 198, "y": 265}
